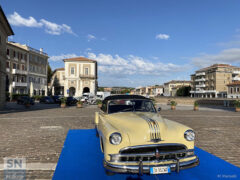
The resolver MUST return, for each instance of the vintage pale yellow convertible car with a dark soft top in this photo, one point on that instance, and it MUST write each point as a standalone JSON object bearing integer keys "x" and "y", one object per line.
{"x": 136, "y": 139}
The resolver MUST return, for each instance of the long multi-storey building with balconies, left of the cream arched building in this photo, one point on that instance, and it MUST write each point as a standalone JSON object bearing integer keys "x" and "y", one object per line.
{"x": 26, "y": 70}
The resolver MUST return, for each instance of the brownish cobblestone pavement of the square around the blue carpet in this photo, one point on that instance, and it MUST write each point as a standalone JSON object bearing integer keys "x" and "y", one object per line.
{"x": 38, "y": 133}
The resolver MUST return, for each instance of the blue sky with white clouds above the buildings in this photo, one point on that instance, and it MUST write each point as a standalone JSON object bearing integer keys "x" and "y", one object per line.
{"x": 136, "y": 42}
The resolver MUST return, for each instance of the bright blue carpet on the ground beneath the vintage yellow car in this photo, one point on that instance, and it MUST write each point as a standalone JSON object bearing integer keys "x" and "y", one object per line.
{"x": 81, "y": 158}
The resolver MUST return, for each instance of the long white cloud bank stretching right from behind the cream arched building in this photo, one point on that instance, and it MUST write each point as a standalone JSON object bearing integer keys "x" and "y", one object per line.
{"x": 133, "y": 65}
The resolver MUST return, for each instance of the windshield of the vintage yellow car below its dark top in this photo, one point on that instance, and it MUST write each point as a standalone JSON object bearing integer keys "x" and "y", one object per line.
{"x": 122, "y": 105}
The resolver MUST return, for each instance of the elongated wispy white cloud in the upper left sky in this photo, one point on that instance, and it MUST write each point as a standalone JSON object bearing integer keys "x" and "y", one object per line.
{"x": 16, "y": 19}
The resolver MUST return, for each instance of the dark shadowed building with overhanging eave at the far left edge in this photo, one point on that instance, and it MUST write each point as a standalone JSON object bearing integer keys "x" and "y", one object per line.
{"x": 5, "y": 31}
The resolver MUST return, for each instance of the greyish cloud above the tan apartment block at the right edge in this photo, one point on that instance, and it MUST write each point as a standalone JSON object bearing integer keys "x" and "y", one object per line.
{"x": 228, "y": 56}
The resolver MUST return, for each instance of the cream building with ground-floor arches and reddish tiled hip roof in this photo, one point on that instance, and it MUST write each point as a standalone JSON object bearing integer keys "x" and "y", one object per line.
{"x": 79, "y": 76}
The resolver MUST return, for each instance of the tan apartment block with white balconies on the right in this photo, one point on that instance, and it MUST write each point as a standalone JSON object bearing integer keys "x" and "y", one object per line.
{"x": 212, "y": 81}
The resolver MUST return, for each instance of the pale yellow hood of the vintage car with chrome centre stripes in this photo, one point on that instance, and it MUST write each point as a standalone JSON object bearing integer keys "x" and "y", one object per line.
{"x": 140, "y": 127}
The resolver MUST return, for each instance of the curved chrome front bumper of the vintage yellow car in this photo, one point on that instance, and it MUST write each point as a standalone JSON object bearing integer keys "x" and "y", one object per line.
{"x": 145, "y": 169}
